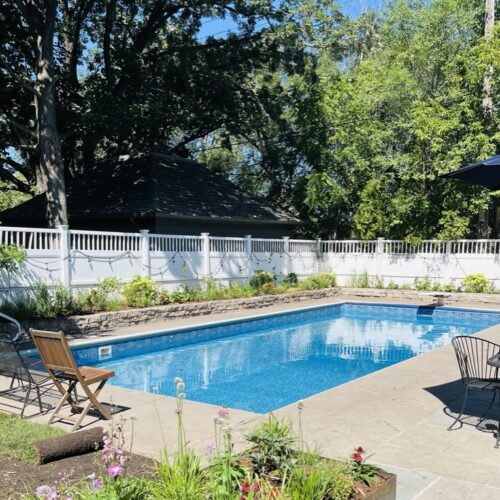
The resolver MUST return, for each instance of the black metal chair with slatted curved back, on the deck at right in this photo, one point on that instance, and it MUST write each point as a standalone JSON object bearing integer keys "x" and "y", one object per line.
{"x": 473, "y": 354}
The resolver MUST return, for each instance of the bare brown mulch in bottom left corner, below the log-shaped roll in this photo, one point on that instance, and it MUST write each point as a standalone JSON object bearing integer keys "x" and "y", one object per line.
{"x": 18, "y": 478}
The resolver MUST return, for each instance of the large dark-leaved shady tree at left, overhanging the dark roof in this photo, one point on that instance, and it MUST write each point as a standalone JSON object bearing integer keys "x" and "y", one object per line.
{"x": 86, "y": 78}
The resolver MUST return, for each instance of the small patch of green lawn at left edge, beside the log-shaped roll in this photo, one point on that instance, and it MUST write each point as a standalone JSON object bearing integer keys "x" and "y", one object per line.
{"x": 17, "y": 436}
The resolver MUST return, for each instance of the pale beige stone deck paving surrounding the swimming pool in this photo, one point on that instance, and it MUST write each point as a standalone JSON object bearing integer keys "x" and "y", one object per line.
{"x": 397, "y": 413}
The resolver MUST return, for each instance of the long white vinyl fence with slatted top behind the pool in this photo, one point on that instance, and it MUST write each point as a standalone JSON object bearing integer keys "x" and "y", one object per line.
{"x": 78, "y": 258}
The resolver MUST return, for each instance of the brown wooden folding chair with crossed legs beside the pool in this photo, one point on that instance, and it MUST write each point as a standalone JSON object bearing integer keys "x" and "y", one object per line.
{"x": 61, "y": 366}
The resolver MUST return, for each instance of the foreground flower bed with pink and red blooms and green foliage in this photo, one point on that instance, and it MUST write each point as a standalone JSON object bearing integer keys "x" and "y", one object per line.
{"x": 276, "y": 465}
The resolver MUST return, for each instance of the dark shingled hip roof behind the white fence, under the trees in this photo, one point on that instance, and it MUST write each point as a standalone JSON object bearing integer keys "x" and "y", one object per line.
{"x": 154, "y": 184}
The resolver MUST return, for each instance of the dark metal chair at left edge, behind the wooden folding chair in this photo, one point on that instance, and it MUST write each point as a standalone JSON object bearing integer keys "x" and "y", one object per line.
{"x": 25, "y": 377}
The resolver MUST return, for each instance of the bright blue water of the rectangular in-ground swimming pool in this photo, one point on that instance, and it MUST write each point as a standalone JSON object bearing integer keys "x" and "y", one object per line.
{"x": 263, "y": 364}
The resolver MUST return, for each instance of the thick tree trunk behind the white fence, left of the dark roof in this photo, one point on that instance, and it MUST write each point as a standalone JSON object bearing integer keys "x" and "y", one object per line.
{"x": 50, "y": 172}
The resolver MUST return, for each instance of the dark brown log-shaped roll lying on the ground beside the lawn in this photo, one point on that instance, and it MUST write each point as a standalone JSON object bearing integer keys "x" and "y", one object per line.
{"x": 75, "y": 443}
